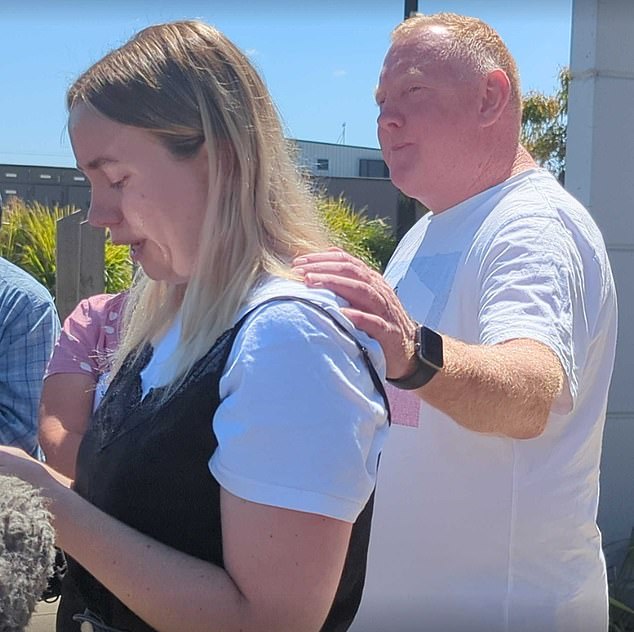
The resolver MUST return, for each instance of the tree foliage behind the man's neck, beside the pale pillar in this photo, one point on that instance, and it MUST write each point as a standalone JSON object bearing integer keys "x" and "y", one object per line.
{"x": 544, "y": 124}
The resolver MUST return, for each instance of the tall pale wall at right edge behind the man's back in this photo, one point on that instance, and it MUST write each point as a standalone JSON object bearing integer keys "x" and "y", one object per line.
{"x": 600, "y": 173}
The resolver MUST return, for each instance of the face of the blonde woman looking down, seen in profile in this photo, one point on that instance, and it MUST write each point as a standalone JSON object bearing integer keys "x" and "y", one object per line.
{"x": 148, "y": 199}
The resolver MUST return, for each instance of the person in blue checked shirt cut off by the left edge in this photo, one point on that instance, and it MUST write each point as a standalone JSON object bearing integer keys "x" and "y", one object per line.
{"x": 29, "y": 327}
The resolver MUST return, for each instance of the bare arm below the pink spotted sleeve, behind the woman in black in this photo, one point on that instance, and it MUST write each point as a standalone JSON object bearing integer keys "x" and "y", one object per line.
{"x": 65, "y": 409}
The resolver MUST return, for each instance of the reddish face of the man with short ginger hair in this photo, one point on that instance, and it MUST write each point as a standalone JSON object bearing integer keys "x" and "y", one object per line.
{"x": 427, "y": 120}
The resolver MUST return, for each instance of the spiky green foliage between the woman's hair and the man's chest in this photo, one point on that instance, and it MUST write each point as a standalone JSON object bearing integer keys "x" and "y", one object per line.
{"x": 370, "y": 240}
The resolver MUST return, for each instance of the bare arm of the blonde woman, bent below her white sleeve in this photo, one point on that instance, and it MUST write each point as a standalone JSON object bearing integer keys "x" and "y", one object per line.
{"x": 282, "y": 566}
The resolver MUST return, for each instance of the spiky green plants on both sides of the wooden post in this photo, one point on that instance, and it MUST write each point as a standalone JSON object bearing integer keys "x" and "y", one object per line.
{"x": 28, "y": 236}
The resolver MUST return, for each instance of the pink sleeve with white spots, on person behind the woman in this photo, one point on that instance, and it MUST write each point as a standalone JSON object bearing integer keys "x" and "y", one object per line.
{"x": 89, "y": 335}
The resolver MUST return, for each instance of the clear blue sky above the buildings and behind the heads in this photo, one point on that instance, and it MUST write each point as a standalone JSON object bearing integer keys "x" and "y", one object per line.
{"x": 320, "y": 59}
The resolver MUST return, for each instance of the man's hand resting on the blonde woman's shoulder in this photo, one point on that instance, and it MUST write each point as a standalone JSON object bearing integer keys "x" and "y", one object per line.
{"x": 374, "y": 307}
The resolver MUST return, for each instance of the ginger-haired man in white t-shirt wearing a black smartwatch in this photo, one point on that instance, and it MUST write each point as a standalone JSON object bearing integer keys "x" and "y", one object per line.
{"x": 499, "y": 337}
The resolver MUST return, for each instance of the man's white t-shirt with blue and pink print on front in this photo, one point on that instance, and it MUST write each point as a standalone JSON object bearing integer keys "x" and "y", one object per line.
{"x": 475, "y": 532}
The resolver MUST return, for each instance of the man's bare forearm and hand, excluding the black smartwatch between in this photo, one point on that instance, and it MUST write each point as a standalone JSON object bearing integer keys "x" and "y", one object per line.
{"x": 505, "y": 389}
